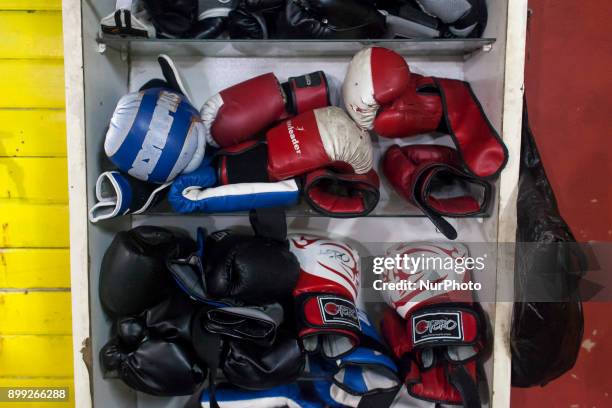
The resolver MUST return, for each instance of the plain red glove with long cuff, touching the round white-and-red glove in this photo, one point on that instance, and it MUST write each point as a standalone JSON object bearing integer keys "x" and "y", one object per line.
{"x": 448, "y": 106}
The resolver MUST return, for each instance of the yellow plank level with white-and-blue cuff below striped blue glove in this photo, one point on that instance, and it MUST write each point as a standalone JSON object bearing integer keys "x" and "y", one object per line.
{"x": 37, "y": 179}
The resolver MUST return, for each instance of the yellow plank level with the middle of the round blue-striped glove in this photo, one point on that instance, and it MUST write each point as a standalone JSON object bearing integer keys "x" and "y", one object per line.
{"x": 37, "y": 132}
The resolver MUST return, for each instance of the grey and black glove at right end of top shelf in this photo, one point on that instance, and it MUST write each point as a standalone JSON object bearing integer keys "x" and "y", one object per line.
{"x": 463, "y": 18}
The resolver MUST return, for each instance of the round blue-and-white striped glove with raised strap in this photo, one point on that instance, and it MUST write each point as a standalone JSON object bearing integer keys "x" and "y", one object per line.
{"x": 155, "y": 134}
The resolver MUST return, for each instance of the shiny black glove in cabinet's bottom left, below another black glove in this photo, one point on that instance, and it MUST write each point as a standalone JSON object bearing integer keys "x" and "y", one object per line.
{"x": 152, "y": 353}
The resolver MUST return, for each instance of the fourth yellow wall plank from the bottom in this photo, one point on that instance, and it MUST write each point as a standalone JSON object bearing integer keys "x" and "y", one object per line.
{"x": 34, "y": 268}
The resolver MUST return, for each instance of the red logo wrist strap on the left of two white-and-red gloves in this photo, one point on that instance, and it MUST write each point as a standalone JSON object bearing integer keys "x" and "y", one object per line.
{"x": 327, "y": 312}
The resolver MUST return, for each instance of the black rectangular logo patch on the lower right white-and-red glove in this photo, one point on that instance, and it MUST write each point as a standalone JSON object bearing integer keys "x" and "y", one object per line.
{"x": 436, "y": 326}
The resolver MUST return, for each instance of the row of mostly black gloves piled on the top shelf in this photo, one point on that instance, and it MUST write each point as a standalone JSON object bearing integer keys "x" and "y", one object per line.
{"x": 286, "y": 19}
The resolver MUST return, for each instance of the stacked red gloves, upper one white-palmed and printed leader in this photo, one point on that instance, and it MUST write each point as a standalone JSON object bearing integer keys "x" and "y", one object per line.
{"x": 325, "y": 149}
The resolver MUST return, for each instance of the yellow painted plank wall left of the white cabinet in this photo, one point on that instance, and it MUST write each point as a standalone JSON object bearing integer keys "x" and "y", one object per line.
{"x": 35, "y": 326}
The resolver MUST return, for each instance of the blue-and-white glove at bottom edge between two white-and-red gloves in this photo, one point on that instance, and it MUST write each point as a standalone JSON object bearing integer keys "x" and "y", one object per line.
{"x": 366, "y": 377}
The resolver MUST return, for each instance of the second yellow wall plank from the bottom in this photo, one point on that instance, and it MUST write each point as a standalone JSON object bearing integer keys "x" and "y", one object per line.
{"x": 35, "y": 356}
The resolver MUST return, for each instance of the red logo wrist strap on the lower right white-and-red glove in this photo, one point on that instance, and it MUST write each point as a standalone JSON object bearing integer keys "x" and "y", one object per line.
{"x": 444, "y": 326}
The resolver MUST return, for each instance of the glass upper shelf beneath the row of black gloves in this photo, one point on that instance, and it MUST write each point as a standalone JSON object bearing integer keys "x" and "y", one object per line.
{"x": 291, "y": 48}
